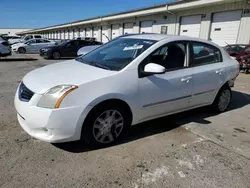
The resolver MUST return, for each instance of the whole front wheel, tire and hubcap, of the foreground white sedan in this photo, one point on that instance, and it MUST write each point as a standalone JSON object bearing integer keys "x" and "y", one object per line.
{"x": 105, "y": 125}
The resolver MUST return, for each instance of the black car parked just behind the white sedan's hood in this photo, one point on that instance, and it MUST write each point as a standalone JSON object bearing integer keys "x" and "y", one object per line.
{"x": 65, "y": 48}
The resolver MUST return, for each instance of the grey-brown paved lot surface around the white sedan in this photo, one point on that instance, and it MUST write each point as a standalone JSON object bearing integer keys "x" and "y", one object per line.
{"x": 193, "y": 149}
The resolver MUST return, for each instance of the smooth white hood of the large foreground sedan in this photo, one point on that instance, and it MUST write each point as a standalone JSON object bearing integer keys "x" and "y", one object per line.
{"x": 69, "y": 72}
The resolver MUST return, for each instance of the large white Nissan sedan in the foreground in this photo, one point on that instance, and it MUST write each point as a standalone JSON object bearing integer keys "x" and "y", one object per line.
{"x": 127, "y": 81}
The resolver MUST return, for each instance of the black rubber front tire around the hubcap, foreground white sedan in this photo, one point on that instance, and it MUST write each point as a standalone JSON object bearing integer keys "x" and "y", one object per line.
{"x": 88, "y": 126}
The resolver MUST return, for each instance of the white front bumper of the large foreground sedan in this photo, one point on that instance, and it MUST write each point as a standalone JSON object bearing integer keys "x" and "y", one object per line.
{"x": 49, "y": 125}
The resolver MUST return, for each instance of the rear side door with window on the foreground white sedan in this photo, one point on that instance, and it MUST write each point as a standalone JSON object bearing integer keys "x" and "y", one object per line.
{"x": 208, "y": 73}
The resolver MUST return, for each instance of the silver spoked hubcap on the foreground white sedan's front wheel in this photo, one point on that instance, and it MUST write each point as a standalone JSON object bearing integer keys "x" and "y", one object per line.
{"x": 108, "y": 126}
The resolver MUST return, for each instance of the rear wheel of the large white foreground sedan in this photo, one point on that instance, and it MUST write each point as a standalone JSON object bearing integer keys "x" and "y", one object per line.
{"x": 225, "y": 90}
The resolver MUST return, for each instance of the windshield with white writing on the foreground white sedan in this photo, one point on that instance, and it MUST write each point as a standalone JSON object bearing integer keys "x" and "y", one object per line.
{"x": 116, "y": 54}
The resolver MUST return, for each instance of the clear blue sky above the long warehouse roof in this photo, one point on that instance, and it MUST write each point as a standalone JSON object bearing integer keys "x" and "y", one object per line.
{"x": 43, "y": 13}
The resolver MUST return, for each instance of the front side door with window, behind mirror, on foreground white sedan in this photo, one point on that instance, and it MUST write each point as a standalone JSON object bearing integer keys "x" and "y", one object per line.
{"x": 170, "y": 92}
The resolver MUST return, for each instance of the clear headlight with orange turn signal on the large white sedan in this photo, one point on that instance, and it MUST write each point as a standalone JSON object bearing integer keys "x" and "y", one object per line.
{"x": 54, "y": 96}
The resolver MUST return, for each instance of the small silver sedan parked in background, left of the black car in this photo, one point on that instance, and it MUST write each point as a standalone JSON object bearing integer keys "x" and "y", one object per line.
{"x": 31, "y": 46}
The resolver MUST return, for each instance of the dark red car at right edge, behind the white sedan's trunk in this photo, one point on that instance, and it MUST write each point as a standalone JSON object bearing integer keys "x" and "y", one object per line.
{"x": 241, "y": 52}
